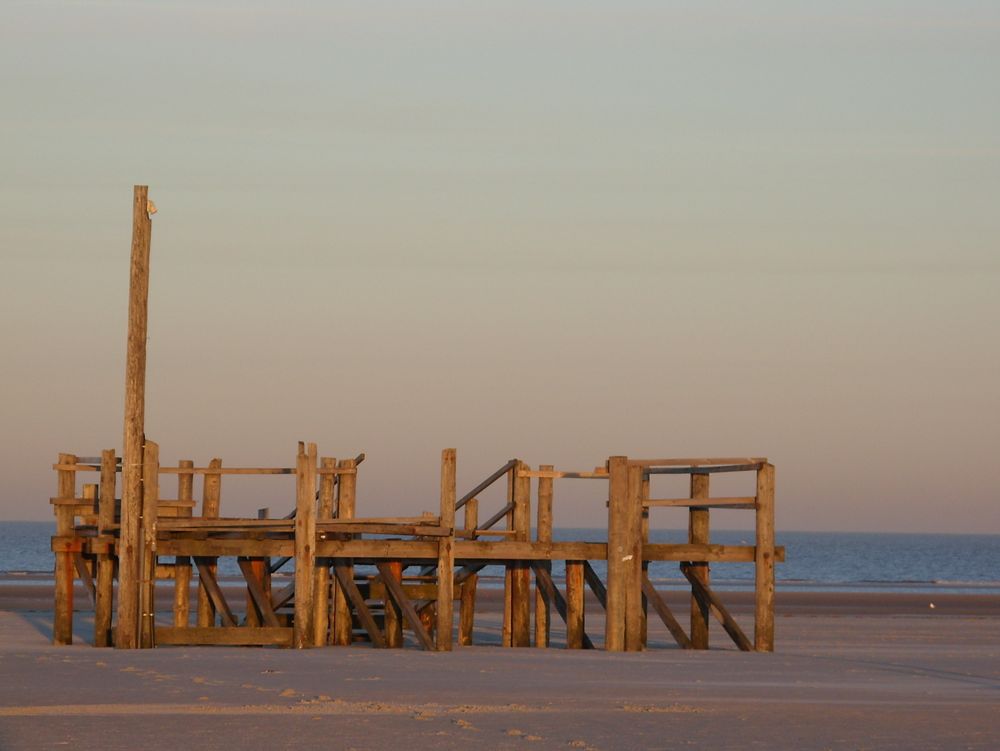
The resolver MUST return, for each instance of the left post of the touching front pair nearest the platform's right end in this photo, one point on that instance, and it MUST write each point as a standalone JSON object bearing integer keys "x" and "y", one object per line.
{"x": 618, "y": 554}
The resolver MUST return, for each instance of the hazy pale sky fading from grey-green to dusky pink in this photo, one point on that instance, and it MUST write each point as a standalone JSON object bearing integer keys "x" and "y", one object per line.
{"x": 556, "y": 231}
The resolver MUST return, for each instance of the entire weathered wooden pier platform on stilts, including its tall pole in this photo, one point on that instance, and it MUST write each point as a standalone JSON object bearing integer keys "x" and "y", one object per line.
{"x": 323, "y": 575}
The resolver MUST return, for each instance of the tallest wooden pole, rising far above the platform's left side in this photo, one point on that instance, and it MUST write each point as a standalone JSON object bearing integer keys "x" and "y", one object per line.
{"x": 130, "y": 540}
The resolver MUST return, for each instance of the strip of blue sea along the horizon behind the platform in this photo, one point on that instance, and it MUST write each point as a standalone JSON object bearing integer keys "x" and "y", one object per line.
{"x": 815, "y": 561}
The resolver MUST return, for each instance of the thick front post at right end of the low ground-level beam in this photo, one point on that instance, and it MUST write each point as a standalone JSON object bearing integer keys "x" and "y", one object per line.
{"x": 303, "y": 634}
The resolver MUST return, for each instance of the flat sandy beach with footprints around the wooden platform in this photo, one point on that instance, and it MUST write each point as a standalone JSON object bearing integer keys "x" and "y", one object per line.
{"x": 850, "y": 671}
